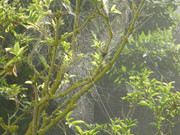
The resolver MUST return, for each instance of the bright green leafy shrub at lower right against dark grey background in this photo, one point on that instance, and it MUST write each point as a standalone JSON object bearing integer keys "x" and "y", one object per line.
{"x": 159, "y": 97}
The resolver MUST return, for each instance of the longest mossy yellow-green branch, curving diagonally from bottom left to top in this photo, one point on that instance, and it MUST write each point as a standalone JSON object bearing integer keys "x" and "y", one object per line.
{"x": 96, "y": 77}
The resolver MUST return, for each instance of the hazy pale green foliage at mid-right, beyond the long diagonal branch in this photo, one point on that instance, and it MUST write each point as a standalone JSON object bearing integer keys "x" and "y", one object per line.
{"x": 155, "y": 51}
